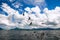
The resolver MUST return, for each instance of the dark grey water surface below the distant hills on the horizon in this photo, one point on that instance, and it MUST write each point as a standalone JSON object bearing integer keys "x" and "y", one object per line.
{"x": 29, "y": 34}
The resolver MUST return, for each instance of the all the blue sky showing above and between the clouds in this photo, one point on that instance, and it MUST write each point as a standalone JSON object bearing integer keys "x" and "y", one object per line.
{"x": 50, "y": 4}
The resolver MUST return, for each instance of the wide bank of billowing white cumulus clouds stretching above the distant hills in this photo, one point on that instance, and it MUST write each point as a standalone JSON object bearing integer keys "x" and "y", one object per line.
{"x": 49, "y": 19}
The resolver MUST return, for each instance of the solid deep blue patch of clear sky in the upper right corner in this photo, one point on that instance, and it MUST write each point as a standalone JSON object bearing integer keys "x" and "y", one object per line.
{"x": 51, "y": 4}
